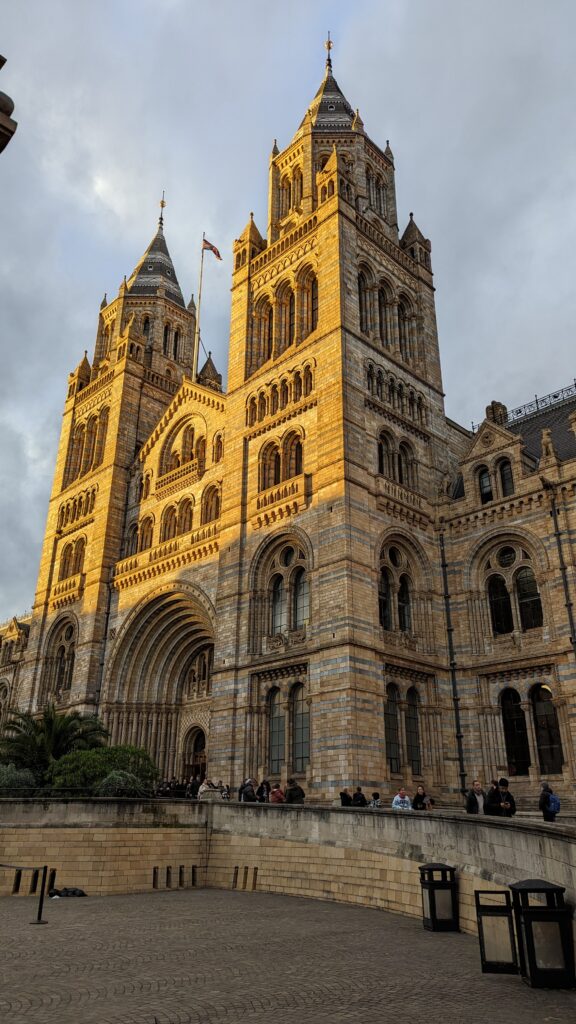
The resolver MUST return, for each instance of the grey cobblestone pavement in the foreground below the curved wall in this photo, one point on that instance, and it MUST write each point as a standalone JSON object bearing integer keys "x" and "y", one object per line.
{"x": 207, "y": 957}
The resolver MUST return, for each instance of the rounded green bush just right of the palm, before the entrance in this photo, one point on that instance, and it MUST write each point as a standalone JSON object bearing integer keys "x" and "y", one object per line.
{"x": 84, "y": 772}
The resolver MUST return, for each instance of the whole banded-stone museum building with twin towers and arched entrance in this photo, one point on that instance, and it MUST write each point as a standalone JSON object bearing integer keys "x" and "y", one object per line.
{"x": 314, "y": 574}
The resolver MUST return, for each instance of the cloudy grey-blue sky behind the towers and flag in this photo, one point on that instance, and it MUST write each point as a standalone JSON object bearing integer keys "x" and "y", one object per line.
{"x": 119, "y": 100}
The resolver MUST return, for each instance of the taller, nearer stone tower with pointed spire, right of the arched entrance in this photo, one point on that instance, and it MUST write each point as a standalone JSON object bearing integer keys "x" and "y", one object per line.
{"x": 337, "y": 448}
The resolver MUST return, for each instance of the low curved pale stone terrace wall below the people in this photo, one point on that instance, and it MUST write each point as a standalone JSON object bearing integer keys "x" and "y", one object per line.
{"x": 353, "y": 857}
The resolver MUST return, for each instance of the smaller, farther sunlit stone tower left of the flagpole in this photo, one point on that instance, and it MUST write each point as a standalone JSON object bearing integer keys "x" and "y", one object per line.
{"x": 143, "y": 351}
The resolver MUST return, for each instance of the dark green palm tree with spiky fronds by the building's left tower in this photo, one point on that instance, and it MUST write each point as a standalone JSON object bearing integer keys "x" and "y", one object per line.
{"x": 37, "y": 743}
